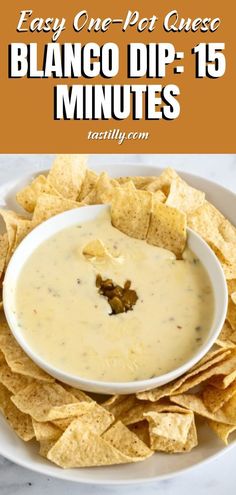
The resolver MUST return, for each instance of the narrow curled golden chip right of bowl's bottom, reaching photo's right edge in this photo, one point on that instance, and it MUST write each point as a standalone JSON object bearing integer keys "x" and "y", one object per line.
{"x": 194, "y": 403}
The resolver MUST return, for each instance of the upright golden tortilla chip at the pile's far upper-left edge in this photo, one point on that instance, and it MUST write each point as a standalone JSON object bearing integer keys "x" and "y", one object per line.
{"x": 28, "y": 196}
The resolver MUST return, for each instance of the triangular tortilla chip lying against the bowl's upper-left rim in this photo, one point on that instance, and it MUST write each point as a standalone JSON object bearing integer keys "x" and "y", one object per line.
{"x": 49, "y": 205}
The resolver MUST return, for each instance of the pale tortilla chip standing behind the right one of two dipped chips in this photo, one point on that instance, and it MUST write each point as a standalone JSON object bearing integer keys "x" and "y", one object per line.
{"x": 184, "y": 197}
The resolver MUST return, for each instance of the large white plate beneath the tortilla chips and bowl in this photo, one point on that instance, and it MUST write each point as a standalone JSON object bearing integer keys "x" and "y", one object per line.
{"x": 159, "y": 466}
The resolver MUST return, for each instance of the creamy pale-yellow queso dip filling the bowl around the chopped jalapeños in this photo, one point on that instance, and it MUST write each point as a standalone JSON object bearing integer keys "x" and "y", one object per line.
{"x": 69, "y": 324}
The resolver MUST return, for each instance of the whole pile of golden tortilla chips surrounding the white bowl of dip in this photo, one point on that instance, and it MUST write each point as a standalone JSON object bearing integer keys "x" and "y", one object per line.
{"x": 72, "y": 428}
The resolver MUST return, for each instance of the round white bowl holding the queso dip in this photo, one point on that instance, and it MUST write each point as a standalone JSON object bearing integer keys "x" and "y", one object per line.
{"x": 70, "y": 218}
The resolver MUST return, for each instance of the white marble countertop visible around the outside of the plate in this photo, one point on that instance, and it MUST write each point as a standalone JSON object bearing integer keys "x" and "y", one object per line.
{"x": 216, "y": 477}
